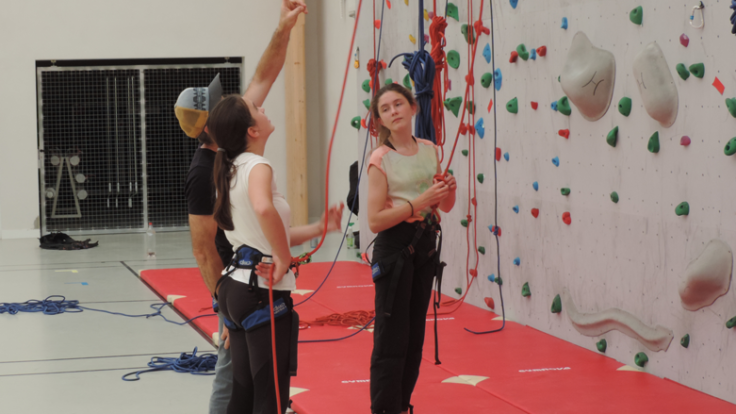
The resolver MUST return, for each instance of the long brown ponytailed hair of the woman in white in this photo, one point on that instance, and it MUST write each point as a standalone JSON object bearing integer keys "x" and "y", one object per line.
{"x": 228, "y": 124}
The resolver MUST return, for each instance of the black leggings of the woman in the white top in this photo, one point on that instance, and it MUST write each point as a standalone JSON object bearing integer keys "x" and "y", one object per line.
{"x": 253, "y": 383}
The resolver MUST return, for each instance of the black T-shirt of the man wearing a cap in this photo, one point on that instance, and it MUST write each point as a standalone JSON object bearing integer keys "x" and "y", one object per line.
{"x": 200, "y": 193}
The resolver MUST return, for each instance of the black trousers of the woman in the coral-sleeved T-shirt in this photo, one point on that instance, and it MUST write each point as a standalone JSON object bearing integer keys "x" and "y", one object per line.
{"x": 398, "y": 339}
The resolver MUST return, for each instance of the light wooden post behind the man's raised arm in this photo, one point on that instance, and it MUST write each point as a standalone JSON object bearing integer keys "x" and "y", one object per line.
{"x": 296, "y": 126}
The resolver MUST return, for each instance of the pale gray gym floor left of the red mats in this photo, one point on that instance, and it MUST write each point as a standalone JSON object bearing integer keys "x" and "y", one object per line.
{"x": 73, "y": 363}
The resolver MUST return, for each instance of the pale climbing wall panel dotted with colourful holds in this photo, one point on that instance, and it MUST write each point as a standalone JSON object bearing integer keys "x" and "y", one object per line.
{"x": 630, "y": 255}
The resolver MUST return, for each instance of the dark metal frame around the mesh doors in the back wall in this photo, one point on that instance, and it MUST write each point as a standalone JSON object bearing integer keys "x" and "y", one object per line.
{"x": 142, "y": 103}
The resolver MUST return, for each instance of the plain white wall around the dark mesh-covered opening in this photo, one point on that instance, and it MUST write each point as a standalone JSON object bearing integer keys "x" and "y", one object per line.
{"x": 85, "y": 29}
